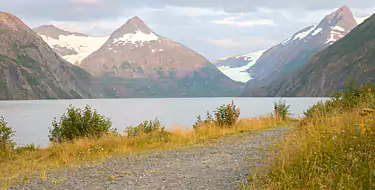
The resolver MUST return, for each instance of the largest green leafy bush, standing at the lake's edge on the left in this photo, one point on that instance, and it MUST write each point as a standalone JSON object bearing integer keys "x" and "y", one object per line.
{"x": 78, "y": 123}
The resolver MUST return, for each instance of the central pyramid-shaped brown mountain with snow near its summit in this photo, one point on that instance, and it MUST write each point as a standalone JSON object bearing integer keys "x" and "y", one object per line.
{"x": 135, "y": 58}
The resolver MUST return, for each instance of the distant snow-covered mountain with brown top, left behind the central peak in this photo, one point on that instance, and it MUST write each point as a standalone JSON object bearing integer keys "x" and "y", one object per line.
{"x": 72, "y": 47}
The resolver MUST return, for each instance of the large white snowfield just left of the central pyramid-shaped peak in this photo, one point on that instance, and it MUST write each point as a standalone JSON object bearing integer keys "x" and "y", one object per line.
{"x": 82, "y": 45}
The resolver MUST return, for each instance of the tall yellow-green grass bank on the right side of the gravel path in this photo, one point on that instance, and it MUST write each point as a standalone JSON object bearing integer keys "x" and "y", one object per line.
{"x": 333, "y": 147}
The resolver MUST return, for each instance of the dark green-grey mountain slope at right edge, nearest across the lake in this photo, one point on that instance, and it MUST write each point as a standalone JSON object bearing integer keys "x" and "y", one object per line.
{"x": 352, "y": 56}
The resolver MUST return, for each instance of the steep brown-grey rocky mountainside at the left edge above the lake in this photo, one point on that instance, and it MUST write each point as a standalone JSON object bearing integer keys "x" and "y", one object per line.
{"x": 30, "y": 69}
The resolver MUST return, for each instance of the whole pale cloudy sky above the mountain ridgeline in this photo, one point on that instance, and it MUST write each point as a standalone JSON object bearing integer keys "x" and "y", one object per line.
{"x": 213, "y": 28}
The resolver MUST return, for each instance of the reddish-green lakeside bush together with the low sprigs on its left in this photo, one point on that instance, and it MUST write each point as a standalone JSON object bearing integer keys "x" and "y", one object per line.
{"x": 225, "y": 116}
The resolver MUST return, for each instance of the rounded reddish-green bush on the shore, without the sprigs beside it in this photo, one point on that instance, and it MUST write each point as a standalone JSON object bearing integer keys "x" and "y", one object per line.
{"x": 227, "y": 115}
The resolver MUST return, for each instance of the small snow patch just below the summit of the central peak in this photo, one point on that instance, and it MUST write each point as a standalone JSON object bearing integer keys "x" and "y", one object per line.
{"x": 137, "y": 37}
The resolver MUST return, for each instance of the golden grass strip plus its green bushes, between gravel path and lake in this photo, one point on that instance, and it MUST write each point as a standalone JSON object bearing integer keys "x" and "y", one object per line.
{"x": 91, "y": 141}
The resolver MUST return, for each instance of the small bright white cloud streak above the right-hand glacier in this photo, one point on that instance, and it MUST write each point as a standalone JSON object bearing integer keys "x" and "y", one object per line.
{"x": 235, "y": 22}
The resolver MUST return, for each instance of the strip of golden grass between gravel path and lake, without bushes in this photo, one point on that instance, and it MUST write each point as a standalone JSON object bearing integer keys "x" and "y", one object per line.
{"x": 41, "y": 161}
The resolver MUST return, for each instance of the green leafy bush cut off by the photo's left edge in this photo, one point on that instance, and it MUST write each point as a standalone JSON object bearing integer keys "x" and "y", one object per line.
{"x": 6, "y": 134}
